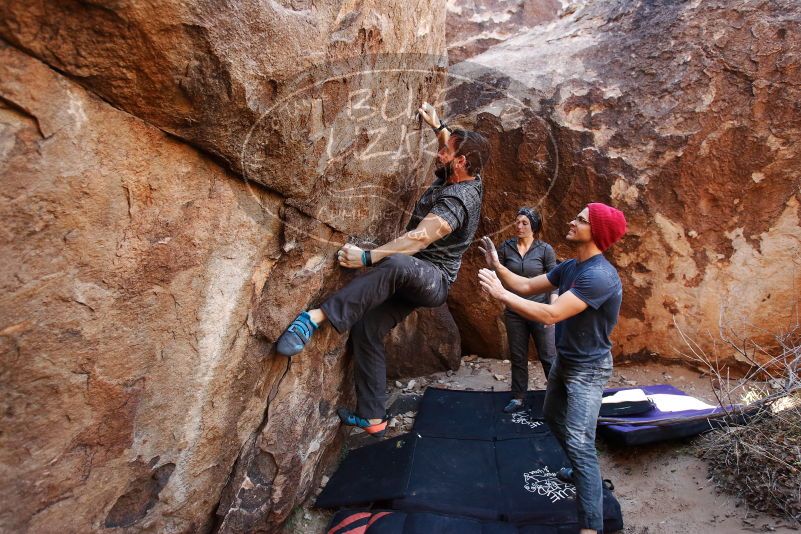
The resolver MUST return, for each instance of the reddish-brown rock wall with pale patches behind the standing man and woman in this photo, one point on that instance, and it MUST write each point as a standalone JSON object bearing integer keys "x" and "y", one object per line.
{"x": 683, "y": 115}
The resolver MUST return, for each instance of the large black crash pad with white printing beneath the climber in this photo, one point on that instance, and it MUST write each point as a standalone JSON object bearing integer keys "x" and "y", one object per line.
{"x": 467, "y": 461}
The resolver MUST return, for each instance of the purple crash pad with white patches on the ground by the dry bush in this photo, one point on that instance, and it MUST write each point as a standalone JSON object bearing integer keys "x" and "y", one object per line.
{"x": 639, "y": 432}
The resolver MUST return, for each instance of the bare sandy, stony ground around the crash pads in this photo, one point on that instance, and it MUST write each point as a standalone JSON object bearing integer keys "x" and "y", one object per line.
{"x": 661, "y": 488}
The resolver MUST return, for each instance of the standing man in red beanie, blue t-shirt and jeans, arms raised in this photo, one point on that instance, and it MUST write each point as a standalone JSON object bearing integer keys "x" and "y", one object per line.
{"x": 585, "y": 313}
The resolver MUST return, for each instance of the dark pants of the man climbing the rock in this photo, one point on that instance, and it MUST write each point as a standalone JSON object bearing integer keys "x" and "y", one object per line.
{"x": 370, "y": 306}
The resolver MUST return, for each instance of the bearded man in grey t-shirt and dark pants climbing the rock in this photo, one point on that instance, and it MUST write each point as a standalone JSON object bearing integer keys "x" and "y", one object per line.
{"x": 413, "y": 270}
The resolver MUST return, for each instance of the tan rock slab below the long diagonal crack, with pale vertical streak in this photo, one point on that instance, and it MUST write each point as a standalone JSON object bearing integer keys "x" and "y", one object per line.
{"x": 130, "y": 263}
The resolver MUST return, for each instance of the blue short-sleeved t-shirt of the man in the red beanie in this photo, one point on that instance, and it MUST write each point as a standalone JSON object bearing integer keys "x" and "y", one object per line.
{"x": 584, "y": 338}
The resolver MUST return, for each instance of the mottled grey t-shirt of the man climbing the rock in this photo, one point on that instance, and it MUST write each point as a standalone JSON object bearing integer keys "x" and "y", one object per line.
{"x": 460, "y": 206}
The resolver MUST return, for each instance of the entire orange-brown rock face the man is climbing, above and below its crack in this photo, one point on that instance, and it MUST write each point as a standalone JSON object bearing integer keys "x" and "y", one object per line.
{"x": 178, "y": 176}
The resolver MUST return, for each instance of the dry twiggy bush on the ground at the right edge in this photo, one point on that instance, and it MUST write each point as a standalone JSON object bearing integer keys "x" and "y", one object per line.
{"x": 759, "y": 460}
